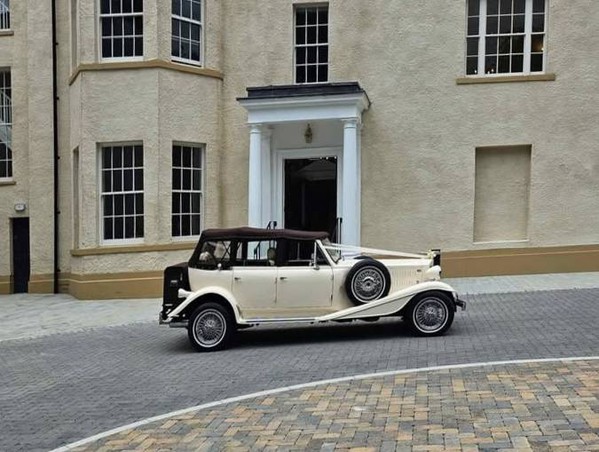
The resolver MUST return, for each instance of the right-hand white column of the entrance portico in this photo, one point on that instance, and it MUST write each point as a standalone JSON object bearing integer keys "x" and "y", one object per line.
{"x": 350, "y": 227}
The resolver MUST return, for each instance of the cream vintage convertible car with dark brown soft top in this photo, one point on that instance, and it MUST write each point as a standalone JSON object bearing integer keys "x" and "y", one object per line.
{"x": 237, "y": 278}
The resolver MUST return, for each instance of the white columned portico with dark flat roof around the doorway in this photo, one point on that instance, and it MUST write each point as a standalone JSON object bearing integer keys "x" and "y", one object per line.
{"x": 304, "y": 157}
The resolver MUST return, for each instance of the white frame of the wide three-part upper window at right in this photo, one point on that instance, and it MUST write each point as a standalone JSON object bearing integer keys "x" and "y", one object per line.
{"x": 527, "y": 34}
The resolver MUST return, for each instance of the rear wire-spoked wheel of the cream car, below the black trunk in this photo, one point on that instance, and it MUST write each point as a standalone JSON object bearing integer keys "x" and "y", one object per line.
{"x": 211, "y": 328}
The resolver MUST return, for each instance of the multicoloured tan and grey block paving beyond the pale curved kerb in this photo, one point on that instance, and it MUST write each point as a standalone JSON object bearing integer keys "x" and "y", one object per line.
{"x": 535, "y": 406}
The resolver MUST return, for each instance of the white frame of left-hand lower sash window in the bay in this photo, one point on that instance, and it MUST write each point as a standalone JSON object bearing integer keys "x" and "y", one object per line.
{"x": 124, "y": 241}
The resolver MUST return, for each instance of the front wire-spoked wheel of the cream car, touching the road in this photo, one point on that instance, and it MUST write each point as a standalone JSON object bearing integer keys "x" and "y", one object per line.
{"x": 430, "y": 314}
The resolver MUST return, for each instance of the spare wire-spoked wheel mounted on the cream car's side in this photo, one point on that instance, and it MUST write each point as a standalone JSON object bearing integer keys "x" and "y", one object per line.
{"x": 367, "y": 280}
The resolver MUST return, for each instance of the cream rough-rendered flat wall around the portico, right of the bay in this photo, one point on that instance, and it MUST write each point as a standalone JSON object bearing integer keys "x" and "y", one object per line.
{"x": 421, "y": 132}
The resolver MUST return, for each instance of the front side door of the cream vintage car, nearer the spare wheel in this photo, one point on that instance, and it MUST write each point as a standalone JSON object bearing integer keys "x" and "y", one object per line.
{"x": 301, "y": 285}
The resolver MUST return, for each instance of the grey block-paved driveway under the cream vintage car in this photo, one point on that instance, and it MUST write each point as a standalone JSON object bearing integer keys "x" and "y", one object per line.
{"x": 60, "y": 388}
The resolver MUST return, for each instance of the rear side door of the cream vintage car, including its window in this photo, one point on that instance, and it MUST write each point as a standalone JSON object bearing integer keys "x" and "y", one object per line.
{"x": 254, "y": 278}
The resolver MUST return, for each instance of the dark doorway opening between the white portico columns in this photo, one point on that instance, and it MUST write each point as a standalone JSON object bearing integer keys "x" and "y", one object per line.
{"x": 311, "y": 194}
